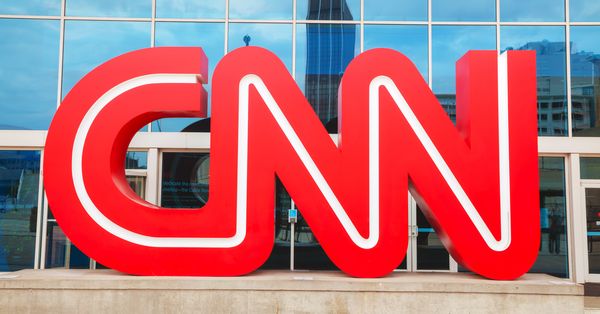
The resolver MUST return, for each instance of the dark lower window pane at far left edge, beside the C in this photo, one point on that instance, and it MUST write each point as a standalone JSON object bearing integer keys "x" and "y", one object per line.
{"x": 19, "y": 187}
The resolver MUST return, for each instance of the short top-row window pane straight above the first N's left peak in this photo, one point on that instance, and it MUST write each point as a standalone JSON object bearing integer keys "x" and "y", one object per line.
{"x": 260, "y": 9}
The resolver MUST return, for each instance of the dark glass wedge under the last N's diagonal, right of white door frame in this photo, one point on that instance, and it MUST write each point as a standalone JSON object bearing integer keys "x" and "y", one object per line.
{"x": 431, "y": 253}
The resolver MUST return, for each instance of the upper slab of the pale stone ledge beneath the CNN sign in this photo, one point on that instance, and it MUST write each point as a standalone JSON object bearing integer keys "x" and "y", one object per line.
{"x": 289, "y": 281}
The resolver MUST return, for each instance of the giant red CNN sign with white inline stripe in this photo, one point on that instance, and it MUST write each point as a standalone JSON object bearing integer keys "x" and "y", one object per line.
{"x": 477, "y": 182}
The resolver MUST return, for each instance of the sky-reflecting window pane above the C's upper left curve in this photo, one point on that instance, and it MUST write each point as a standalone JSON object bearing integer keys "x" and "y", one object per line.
{"x": 91, "y": 43}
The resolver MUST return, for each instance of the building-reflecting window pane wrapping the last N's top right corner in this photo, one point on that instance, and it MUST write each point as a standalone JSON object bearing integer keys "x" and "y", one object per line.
{"x": 549, "y": 44}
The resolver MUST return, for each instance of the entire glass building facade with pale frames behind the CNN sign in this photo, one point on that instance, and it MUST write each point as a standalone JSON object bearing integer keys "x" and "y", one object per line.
{"x": 48, "y": 45}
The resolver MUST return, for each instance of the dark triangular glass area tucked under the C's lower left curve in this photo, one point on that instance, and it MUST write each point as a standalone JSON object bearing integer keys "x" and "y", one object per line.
{"x": 60, "y": 252}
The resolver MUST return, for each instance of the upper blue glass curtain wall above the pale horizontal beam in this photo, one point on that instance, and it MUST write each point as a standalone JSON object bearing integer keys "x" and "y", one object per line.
{"x": 49, "y": 45}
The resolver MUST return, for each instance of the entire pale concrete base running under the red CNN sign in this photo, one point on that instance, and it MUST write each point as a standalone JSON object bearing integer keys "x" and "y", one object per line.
{"x": 107, "y": 291}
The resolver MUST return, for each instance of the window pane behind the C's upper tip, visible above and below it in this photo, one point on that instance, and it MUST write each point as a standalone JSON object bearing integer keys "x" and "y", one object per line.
{"x": 209, "y": 36}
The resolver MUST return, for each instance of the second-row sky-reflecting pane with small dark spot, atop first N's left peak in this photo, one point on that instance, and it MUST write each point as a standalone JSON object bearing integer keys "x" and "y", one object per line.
{"x": 275, "y": 37}
